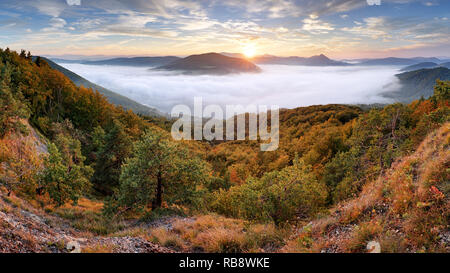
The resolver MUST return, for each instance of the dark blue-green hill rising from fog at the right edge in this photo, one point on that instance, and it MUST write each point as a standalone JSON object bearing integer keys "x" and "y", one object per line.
{"x": 418, "y": 83}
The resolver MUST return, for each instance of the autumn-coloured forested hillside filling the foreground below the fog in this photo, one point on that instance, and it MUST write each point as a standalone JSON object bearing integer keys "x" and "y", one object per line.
{"x": 68, "y": 152}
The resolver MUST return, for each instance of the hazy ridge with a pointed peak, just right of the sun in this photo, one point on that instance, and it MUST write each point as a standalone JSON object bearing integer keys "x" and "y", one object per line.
{"x": 319, "y": 60}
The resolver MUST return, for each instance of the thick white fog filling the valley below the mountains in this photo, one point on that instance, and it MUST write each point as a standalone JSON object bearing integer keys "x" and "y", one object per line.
{"x": 285, "y": 86}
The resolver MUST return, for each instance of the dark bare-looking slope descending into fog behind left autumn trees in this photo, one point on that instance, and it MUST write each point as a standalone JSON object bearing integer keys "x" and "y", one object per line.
{"x": 112, "y": 97}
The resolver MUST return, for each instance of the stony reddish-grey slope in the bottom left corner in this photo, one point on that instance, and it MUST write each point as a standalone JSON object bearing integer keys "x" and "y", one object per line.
{"x": 24, "y": 229}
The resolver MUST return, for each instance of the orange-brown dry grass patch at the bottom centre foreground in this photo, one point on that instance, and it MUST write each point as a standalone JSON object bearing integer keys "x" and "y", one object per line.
{"x": 213, "y": 233}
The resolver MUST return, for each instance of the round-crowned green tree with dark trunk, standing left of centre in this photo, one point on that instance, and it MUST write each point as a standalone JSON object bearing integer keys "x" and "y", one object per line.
{"x": 159, "y": 169}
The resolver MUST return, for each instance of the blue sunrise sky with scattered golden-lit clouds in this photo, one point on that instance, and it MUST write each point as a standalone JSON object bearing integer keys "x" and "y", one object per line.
{"x": 340, "y": 29}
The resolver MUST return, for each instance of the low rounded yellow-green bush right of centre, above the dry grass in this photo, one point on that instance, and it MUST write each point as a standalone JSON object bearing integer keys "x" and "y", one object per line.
{"x": 278, "y": 196}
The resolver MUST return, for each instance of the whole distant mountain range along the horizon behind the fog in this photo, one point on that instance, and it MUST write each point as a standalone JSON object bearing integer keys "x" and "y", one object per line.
{"x": 212, "y": 63}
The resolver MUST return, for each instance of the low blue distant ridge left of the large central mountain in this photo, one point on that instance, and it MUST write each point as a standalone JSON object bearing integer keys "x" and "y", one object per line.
{"x": 135, "y": 61}
